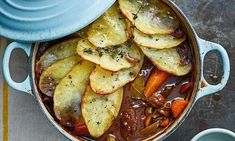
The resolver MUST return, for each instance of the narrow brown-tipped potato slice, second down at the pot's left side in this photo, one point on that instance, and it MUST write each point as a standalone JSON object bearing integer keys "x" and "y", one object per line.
{"x": 53, "y": 74}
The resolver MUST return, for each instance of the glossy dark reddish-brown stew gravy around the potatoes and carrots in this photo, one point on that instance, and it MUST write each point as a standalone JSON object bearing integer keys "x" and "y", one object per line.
{"x": 133, "y": 108}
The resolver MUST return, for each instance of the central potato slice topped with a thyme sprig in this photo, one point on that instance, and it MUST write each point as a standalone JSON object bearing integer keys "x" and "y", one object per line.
{"x": 115, "y": 58}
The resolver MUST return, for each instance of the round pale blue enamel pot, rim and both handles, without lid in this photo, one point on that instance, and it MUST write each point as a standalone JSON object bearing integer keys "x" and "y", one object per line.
{"x": 199, "y": 47}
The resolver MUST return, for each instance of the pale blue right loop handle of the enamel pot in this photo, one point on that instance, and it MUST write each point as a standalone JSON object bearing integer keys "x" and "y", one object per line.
{"x": 205, "y": 47}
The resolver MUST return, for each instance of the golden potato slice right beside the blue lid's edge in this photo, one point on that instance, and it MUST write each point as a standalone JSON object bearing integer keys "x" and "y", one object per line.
{"x": 109, "y": 29}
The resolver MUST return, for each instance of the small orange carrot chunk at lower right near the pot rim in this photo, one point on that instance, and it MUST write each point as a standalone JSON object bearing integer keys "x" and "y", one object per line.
{"x": 178, "y": 106}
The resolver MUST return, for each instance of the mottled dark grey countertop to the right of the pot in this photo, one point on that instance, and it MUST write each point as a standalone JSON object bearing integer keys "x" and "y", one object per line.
{"x": 213, "y": 20}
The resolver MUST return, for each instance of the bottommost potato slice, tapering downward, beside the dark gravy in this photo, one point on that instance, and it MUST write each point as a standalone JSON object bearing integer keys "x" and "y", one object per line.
{"x": 99, "y": 111}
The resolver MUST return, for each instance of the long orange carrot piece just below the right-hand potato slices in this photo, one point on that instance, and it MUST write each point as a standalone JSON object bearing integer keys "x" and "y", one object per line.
{"x": 156, "y": 79}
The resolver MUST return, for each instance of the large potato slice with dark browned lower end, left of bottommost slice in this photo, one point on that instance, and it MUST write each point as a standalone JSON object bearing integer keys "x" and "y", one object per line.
{"x": 69, "y": 92}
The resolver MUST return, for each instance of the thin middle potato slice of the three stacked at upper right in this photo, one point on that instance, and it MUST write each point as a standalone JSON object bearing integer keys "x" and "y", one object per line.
{"x": 157, "y": 41}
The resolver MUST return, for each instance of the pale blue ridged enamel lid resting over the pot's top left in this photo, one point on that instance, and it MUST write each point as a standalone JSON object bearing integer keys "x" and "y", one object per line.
{"x": 43, "y": 20}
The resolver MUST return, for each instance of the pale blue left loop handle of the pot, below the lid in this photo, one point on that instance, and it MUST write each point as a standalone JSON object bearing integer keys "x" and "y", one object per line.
{"x": 24, "y": 86}
